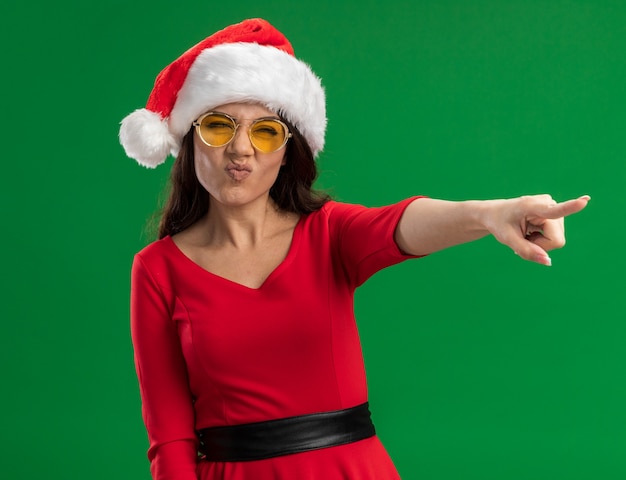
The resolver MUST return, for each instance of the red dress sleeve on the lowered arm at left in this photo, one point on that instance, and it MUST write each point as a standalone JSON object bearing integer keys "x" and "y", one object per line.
{"x": 167, "y": 404}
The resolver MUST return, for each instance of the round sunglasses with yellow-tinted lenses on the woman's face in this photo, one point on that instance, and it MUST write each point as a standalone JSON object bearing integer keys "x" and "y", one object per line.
{"x": 217, "y": 129}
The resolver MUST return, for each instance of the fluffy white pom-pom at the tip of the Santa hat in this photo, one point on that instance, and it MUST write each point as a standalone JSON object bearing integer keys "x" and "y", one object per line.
{"x": 146, "y": 138}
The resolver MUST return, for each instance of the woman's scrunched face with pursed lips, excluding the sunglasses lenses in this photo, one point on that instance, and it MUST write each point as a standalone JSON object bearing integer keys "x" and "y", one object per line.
{"x": 237, "y": 174}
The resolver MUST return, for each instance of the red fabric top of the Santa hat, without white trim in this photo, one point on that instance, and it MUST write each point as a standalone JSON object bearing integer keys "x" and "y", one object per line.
{"x": 171, "y": 79}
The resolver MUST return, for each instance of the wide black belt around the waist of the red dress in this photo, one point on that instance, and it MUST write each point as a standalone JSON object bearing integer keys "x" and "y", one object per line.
{"x": 256, "y": 441}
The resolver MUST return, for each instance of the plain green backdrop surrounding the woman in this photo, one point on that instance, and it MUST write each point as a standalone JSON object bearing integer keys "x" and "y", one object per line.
{"x": 481, "y": 366}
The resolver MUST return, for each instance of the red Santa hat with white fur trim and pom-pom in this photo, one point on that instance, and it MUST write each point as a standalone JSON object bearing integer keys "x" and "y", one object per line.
{"x": 247, "y": 62}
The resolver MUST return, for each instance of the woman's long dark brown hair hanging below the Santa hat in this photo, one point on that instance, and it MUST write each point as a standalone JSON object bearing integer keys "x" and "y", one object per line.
{"x": 293, "y": 191}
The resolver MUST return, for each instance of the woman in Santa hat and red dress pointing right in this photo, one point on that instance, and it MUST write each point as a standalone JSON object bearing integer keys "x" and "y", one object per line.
{"x": 245, "y": 340}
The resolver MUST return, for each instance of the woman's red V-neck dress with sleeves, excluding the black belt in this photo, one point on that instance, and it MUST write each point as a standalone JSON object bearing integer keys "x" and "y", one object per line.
{"x": 211, "y": 352}
